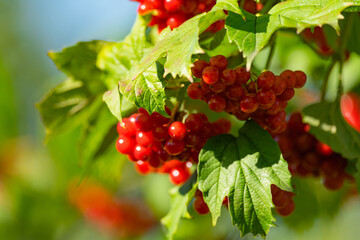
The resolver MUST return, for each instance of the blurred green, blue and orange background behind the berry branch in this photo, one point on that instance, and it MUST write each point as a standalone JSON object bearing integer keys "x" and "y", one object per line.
{"x": 43, "y": 194}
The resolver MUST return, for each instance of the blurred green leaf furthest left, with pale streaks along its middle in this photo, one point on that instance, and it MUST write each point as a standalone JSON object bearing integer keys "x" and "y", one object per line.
{"x": 67, "y": 106}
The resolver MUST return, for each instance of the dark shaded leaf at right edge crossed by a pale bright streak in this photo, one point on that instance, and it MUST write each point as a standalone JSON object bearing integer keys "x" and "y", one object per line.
{"x": 329, "y": 126}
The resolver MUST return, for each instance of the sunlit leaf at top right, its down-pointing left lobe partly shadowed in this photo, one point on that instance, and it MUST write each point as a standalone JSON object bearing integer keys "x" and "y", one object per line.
{"x": 252, "y": 33}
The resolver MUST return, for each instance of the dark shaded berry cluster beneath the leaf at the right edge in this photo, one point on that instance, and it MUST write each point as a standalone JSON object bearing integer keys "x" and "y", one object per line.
{"x": 306, "y": 156}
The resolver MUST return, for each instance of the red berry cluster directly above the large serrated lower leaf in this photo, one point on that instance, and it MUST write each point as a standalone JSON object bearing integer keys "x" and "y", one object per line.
{"x": 231, "y": 90}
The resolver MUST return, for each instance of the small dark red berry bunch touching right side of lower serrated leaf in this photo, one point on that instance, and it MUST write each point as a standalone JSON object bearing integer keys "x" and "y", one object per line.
{"x": 282, "y": 200}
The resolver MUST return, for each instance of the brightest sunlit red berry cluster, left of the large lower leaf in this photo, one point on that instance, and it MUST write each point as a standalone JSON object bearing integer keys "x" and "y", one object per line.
{"x": 157, "y": 144}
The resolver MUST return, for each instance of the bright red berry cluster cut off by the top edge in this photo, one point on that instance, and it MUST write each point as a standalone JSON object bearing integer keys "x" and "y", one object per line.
{"x": 173, "y": 13}
